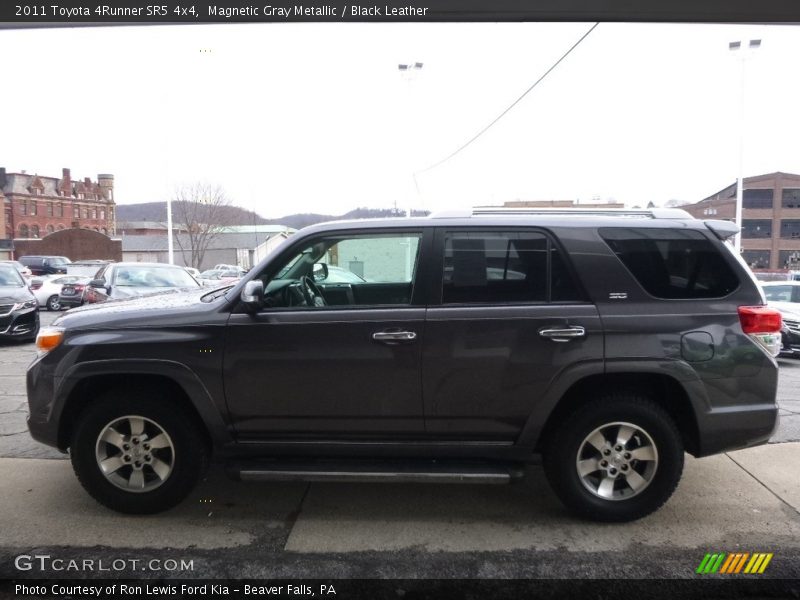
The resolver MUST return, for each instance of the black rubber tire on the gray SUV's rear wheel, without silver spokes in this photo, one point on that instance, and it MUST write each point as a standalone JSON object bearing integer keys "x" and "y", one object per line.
{"x": 603, "y": 414}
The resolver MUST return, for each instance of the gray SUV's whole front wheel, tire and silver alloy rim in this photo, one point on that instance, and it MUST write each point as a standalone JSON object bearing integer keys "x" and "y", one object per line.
{"x": 137, "y": 455}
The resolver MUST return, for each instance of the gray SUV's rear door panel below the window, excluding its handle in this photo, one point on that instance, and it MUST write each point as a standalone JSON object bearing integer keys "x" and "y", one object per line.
{"x": 485, "y": 367}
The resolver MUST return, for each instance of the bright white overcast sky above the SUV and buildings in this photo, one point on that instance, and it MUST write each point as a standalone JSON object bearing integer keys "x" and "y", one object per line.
{"x": 317, "y": 118}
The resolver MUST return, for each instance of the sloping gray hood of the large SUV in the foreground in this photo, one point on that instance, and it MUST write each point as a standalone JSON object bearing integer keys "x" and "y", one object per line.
{"x": 162, "y": 308}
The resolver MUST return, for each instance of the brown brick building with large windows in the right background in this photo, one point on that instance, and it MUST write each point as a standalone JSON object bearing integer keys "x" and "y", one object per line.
{"x": 770, "y": 218}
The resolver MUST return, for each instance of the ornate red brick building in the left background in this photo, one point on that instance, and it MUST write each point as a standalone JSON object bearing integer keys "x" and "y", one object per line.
{"x": 35, "y": 205}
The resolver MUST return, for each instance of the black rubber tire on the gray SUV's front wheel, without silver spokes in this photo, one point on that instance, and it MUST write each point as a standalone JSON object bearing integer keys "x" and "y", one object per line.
{"x": 187, "y": 454}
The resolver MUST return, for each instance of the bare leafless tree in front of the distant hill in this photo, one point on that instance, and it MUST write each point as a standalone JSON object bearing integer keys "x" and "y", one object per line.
{"x": 202, "y": 211}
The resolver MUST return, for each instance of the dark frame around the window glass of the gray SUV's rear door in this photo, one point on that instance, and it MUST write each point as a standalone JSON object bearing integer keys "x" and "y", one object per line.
{"x": 437, "y": 265}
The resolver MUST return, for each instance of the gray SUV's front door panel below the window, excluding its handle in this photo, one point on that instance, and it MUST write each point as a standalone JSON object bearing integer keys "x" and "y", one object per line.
{"x": 319, "y": 373}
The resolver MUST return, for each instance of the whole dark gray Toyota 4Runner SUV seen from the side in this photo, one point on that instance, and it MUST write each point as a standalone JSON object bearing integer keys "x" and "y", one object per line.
{"x": 457, "y": 348}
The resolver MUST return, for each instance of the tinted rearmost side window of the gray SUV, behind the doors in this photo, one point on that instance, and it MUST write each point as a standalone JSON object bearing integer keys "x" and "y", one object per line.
{"x": 672, "y": 263}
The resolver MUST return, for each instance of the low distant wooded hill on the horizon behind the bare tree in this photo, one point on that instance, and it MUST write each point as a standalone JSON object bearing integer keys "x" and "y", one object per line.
{"x": 157, "y": 211}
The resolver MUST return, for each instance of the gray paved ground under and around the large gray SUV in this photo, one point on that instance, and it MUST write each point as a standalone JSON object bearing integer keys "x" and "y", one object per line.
{"x": 744, "y": 501}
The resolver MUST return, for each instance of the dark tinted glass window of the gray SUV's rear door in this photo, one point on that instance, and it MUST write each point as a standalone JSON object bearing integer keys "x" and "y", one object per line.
{"x": 504, "y": 267}
